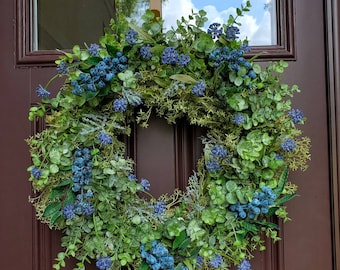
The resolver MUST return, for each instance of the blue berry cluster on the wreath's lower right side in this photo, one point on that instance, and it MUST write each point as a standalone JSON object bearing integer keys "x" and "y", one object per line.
{"x": 259, "y": 204}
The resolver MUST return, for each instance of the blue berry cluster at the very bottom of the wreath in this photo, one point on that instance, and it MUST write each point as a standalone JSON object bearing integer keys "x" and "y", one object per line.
{"x": 158, "y": 257}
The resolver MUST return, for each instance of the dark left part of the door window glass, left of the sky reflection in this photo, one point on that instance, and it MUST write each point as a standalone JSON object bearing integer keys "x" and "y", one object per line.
{"x": 61, "y": 24}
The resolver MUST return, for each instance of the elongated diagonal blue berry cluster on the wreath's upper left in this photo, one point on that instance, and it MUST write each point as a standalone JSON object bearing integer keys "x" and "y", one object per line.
{"x": 100, "y": 74}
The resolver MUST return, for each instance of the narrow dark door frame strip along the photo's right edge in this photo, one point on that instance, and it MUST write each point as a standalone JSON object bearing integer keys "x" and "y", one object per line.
{"x": 332, "y": 38}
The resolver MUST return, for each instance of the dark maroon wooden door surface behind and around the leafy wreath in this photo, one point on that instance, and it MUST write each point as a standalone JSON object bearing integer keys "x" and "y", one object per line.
{"x": 168, "y": 152}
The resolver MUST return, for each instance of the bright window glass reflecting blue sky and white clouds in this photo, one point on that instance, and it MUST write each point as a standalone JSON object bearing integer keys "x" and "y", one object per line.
{"x": 258, "y": 26}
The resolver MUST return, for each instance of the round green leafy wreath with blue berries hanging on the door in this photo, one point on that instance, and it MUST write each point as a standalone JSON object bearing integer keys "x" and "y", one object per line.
{"x": 85, "y": 185}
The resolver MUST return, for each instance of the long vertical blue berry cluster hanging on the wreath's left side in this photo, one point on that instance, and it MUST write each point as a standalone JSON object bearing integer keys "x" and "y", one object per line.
{"x": 82, "y": 173}
